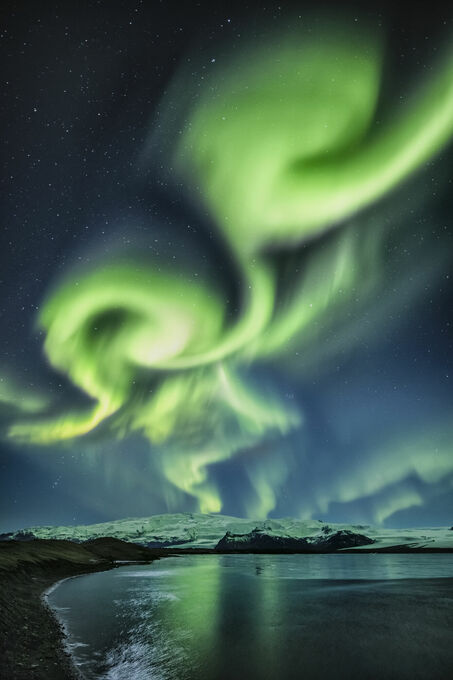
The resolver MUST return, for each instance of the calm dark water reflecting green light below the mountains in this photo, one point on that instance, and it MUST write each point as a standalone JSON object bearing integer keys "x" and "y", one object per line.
{"x": 265, "y": 617}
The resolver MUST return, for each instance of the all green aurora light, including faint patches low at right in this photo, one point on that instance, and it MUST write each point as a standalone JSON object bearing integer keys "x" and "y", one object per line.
{"x": 288, "y": 144}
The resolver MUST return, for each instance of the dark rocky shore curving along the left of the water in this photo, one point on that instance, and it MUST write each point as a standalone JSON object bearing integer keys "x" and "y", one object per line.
{"x": 31, "y": 639}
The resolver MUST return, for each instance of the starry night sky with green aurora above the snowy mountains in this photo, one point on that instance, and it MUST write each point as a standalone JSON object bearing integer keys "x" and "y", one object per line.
{"x": 226, "y": 262}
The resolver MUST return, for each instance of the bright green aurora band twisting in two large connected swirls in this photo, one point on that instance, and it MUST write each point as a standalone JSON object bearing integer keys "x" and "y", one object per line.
{"x": 283, "y": 146}
